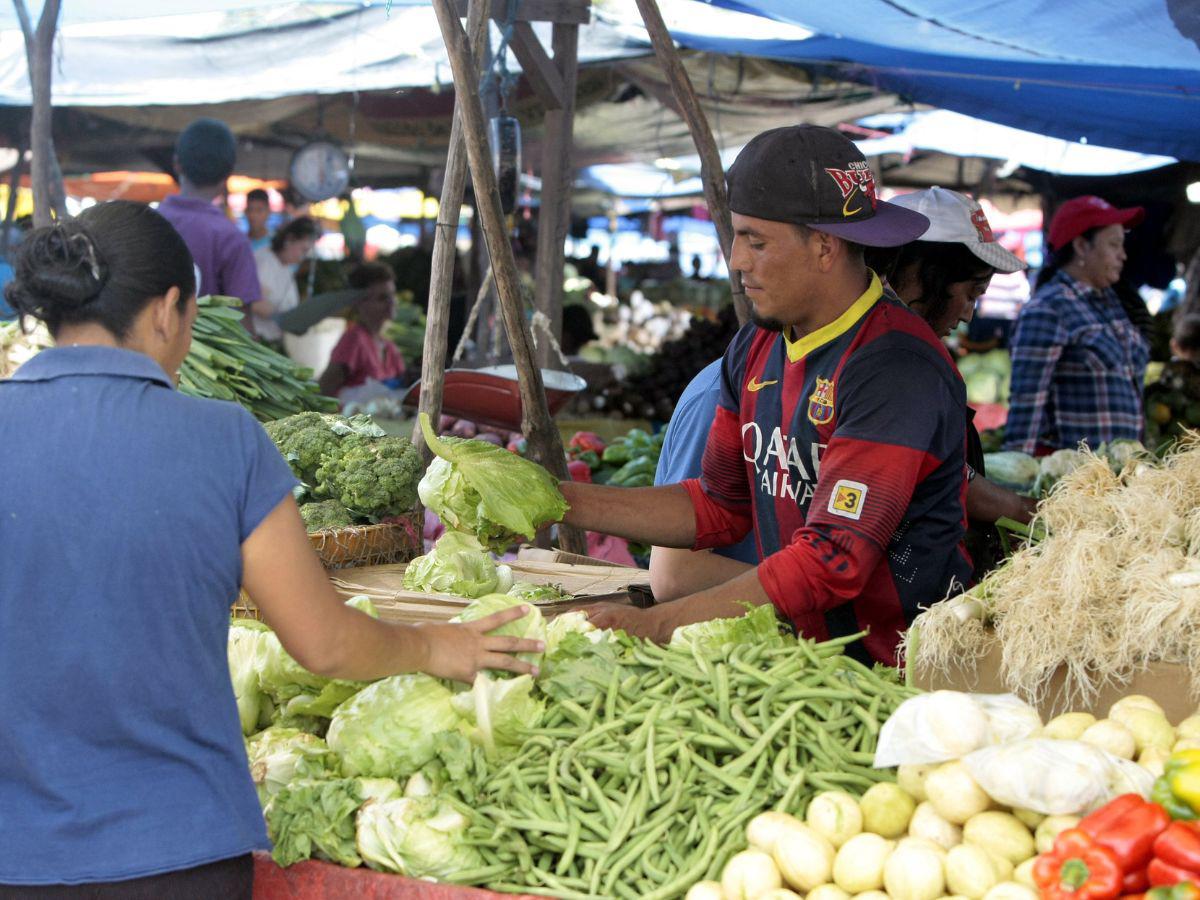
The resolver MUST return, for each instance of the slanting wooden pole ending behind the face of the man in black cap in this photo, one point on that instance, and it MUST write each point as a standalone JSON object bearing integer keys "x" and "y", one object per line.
{"x": 712, "y": 173}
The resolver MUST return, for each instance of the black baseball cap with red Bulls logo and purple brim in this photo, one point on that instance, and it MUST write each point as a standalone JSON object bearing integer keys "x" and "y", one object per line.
{"x": 812, "y": 176}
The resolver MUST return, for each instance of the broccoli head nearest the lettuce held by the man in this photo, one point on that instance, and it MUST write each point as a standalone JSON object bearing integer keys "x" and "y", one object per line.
{"x": 376, "y": 478}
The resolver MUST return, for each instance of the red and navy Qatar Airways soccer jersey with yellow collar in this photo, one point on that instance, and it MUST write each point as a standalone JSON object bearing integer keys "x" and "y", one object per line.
{"x": 845, "y": 452}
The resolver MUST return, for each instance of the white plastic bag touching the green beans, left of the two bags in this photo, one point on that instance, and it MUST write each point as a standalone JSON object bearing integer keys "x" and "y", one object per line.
{"x": 949, "y": 725}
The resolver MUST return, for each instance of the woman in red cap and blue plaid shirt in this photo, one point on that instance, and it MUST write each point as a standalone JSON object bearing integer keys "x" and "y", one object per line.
{"x": 1078, "y": 361}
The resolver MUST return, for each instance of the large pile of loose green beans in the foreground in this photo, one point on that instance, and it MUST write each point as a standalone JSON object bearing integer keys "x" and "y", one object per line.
{"x": 646, "y": 790}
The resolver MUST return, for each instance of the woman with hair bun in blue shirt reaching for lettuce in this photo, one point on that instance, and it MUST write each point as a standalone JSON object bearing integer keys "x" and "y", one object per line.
{"x": 130, "y": 519}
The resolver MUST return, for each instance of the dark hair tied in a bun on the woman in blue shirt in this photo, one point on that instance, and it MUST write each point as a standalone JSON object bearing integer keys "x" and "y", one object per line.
{"x": 104, "y": 267}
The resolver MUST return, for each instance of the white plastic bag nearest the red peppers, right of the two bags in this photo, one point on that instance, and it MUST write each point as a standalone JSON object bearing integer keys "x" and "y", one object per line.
{"x": 1055, "y": 778}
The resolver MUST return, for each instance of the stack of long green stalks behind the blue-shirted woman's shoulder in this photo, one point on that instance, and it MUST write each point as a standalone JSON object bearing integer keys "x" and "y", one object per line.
{"x": 227, "y": 364}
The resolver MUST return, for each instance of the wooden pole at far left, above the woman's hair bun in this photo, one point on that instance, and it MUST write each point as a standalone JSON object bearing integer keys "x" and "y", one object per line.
{"x": 50, "y": 197}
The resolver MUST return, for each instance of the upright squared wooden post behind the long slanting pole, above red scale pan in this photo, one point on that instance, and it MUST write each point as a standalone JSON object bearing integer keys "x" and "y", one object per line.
{"x": 557, "y": 173}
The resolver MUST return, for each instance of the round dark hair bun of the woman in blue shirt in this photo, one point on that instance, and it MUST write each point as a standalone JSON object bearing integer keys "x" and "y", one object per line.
{"x": 59, "y": 272}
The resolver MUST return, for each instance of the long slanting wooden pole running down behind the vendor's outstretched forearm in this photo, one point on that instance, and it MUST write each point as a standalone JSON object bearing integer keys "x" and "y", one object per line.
{"x": 545, "y": 443}
